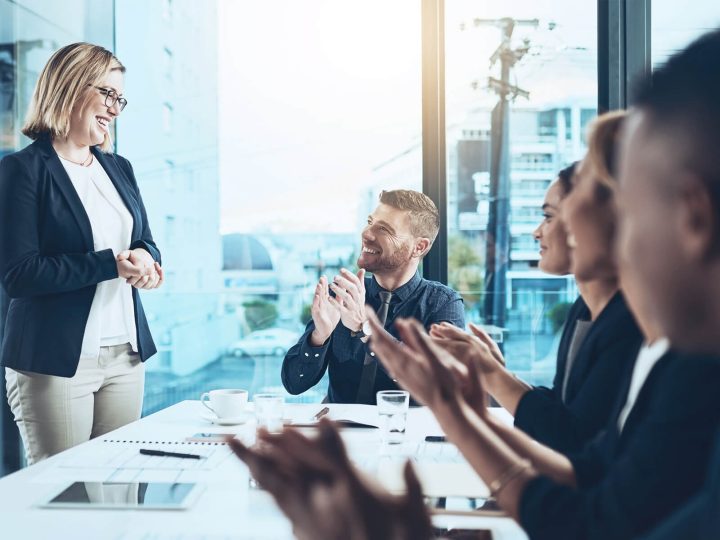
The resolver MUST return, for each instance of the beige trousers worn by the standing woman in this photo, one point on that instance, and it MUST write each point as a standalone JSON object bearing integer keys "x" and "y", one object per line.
{"x": 56, "y": 413}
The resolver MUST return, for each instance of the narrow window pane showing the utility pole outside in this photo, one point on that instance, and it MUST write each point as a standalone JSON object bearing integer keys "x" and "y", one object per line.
{"x": 494, "y": 202}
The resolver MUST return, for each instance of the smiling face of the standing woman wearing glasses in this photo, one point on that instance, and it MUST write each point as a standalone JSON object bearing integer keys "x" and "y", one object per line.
{"x": 91, "y": 119}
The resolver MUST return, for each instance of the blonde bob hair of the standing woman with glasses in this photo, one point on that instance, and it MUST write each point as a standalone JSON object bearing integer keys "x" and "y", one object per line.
{"x": 62, "y": 84}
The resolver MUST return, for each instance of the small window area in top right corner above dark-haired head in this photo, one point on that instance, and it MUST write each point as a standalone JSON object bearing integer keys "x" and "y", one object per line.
{"x": 673, "y": 28}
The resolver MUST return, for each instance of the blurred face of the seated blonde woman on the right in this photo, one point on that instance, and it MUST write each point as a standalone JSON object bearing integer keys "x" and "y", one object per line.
{"x": 589, "y": 220}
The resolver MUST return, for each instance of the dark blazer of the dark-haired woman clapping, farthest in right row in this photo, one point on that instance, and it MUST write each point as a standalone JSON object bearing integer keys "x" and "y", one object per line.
{"x": 603, "y": 364}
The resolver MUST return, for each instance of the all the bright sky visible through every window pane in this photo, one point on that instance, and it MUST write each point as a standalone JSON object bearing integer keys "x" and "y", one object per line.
{"x": 313, "y": 94}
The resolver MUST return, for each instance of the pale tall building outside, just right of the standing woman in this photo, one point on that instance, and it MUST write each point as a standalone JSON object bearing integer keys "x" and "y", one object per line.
{"x": 169, "y": 131}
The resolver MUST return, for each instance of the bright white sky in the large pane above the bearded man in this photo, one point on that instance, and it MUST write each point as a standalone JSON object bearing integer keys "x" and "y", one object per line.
{"x": 313, "y": 94}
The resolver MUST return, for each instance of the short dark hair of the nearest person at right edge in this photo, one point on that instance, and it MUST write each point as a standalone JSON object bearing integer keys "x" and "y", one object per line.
{"x": 682, "y": 99}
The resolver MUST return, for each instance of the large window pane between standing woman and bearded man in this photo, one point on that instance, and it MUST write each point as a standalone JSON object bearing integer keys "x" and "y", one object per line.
{"x": 260, "y": 147}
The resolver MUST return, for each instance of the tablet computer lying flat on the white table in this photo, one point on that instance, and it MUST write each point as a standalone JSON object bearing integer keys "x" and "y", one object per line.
{"x": 132, "y": 495}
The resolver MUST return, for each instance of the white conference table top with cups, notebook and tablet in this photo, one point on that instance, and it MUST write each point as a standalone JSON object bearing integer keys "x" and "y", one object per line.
{"x": 227, "y": 506}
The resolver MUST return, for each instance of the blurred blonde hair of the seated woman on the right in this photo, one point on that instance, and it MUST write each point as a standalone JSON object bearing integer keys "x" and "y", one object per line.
{"x": 603, "y": 137}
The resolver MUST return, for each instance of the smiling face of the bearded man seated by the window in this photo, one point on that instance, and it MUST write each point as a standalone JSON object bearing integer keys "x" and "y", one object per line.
{"x": 388, "y": 244}
